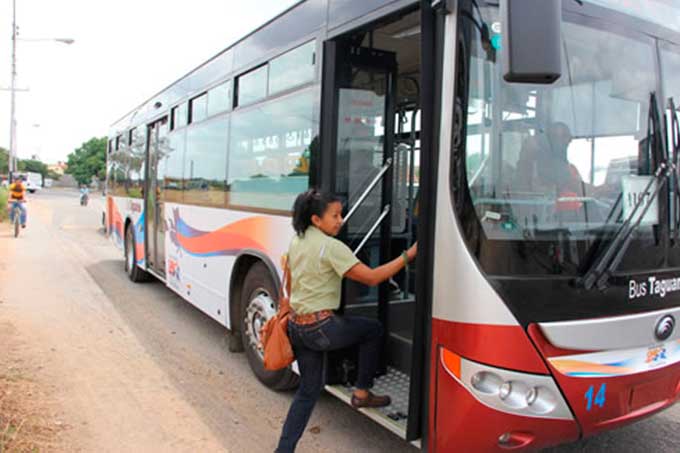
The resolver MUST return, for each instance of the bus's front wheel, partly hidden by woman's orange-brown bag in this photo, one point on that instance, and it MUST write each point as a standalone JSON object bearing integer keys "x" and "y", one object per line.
{"x": 258, "y": 303}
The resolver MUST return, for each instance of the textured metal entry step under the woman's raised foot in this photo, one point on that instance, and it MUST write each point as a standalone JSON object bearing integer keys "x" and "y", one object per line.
{"x": 393, "y": 417}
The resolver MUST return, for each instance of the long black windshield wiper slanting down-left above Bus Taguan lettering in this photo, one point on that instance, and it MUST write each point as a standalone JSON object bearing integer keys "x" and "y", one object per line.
{"x": 599, "y": 272}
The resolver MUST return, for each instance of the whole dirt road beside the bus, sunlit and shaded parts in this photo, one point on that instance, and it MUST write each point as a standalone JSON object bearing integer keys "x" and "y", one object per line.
{"x": 107, "y": 365}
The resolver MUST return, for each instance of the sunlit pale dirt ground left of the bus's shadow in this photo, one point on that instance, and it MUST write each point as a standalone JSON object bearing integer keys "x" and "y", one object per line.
{"x": 72, "y": 375}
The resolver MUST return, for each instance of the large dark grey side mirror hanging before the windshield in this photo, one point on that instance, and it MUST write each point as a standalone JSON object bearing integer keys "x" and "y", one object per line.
{"x": 531, "y": 40}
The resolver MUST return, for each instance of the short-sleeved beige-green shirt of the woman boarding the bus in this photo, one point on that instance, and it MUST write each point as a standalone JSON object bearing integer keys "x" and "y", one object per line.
{"x": 317, "y": 263}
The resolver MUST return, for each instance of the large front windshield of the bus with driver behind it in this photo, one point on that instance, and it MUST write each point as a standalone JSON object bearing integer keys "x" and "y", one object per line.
{"x": 562, "y": 163}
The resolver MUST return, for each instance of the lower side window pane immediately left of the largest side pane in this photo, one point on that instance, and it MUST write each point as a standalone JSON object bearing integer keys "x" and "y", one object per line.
{"x": 205, "y": 163}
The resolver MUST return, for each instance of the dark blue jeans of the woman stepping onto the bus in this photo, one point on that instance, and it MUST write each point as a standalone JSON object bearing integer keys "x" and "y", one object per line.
{"x": 309, "y": 344}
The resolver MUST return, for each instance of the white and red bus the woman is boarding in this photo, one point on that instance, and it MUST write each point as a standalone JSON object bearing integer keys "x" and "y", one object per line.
{"x": 532, "y": 156}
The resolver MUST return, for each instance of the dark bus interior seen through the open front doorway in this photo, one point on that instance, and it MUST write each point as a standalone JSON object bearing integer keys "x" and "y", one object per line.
{"x": 377, "y": 156}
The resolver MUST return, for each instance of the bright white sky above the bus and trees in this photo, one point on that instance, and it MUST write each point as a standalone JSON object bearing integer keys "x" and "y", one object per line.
{"x": 125, "y": 51}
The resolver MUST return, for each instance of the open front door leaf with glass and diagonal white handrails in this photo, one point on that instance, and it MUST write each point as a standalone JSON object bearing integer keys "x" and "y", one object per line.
{"x": 364, "y": 165}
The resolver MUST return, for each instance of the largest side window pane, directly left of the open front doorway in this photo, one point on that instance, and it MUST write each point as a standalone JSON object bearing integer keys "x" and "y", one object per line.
{"x": 270, "y": 148}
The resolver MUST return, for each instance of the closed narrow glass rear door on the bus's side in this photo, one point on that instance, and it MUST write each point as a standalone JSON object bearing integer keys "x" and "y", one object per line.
{"x": 155, "y": 223}
